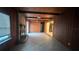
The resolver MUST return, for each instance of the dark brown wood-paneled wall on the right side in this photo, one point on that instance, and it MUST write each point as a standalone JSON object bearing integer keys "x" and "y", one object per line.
{"x": 66, "y": 28}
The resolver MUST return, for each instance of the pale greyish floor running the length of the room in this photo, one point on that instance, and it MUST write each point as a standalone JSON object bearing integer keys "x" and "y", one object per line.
{"x": 40, "y": 42}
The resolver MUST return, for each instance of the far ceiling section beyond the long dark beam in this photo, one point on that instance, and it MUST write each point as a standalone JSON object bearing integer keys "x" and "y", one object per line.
{"x": 31, "y": 16}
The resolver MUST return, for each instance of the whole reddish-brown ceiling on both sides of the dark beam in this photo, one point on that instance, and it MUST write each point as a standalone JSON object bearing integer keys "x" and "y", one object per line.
{"x": 40, "y": 10}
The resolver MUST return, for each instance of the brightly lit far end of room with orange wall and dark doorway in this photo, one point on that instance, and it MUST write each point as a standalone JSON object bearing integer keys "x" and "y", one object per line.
{"x": 40, "y": 27}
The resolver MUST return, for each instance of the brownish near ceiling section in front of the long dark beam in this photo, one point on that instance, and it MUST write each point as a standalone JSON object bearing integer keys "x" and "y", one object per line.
{"x": 43, "y": 9}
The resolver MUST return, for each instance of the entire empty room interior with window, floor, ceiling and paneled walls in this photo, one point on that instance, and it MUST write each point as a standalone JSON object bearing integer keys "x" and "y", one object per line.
{"x": 39, "y": 29}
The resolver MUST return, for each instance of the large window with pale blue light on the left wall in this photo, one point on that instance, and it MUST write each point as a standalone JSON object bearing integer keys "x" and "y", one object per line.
{"x": 4, "y": 27}
